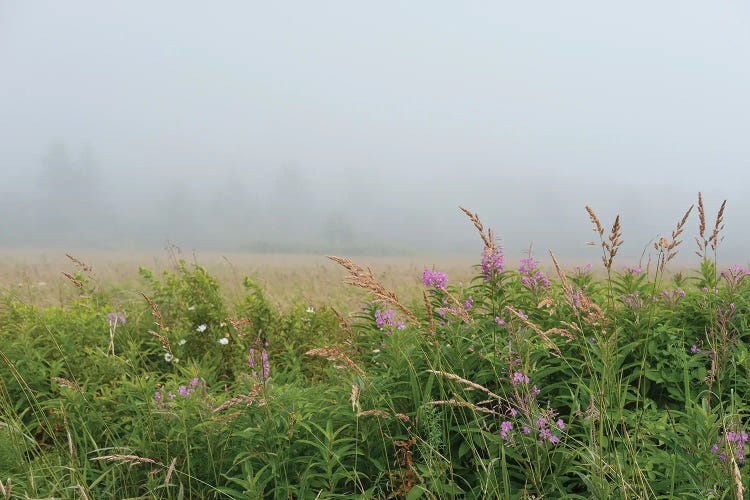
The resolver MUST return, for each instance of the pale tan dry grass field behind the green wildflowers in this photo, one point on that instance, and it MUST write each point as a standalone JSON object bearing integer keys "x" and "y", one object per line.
{"x": 35, "y": 276}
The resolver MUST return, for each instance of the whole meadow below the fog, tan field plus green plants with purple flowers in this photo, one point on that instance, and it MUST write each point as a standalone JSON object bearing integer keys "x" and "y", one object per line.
{"x": 249, "y": 376}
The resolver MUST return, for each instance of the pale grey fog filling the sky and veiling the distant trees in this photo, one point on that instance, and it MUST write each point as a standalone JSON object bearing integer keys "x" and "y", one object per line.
{"x": 359, "y": 128}
